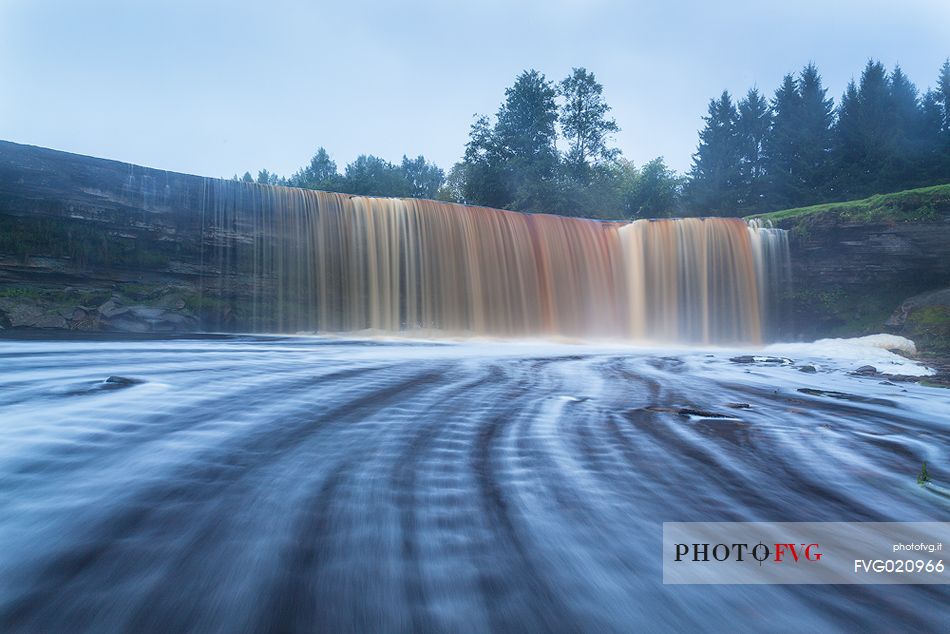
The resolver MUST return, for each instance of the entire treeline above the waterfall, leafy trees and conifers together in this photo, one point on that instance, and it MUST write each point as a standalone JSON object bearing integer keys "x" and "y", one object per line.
{"x": 549, "y": 149}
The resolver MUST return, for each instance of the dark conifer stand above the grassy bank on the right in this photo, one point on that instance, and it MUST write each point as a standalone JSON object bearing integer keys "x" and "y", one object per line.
{"x": 799, "y": 148}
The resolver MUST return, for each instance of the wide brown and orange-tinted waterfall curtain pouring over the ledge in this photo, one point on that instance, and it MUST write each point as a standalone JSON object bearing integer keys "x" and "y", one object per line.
{"x": 325, "y": 262}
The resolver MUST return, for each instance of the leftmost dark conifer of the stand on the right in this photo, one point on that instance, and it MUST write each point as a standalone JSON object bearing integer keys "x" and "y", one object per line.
{"x": 713, "y": 178}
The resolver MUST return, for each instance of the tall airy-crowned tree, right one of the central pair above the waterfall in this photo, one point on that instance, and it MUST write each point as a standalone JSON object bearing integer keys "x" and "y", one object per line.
{"x": 584, "y": 122}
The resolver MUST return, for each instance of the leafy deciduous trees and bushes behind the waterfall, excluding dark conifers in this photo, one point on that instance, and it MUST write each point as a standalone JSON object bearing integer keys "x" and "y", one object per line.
{"x": 513, "y": 161}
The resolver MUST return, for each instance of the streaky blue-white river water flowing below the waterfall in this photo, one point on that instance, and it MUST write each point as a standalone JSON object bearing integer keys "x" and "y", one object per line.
{"x": 319, "y": 484}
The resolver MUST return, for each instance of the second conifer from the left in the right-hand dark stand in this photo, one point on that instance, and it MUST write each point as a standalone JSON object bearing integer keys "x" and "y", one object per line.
{"x": 753, "y": 122}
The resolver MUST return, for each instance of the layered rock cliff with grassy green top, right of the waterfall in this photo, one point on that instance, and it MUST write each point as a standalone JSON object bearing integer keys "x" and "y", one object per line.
{"x": 855, "y": 264}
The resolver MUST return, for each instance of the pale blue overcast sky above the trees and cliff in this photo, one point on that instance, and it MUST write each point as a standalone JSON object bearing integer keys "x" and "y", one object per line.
{"x": 217, "y": 88}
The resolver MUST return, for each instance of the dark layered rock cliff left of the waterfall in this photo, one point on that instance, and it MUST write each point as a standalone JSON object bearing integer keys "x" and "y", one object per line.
{"x": 88, "y": 243}
